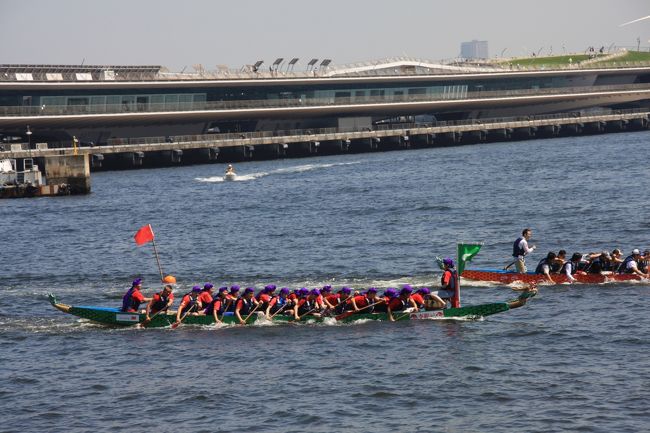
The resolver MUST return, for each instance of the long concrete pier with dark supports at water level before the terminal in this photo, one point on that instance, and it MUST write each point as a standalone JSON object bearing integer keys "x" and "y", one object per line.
{"x": 172, "y": 150}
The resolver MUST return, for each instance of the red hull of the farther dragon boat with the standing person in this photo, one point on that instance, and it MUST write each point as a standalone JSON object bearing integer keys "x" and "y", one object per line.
{"x": 508, "y": 277}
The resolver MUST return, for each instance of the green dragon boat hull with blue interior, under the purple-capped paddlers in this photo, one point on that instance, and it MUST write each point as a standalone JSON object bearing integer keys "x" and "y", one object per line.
{"x": 116, "y": 318}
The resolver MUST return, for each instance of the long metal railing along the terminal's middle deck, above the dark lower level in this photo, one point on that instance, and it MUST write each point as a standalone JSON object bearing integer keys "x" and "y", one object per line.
{"x": 58, "y": 110}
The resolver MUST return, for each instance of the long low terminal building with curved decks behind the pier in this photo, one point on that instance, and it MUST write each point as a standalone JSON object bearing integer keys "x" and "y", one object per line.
{"x": 98, "y": 103}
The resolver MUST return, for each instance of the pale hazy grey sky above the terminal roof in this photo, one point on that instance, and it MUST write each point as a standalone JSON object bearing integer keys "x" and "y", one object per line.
{"x": 181, "y": 33}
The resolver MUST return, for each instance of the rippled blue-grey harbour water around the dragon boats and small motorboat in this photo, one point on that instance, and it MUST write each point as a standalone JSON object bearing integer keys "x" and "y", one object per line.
{"x": 574, "y": 359}
